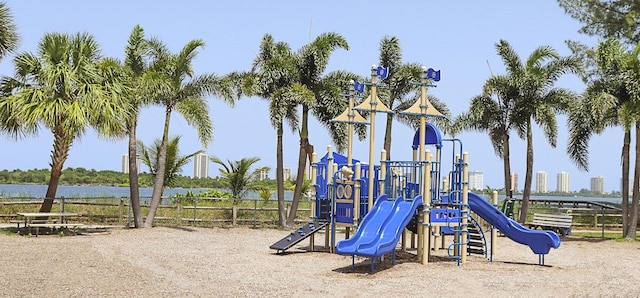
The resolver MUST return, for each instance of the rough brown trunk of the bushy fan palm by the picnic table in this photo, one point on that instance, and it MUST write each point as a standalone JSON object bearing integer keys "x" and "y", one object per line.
{"x": 61, "y": 146}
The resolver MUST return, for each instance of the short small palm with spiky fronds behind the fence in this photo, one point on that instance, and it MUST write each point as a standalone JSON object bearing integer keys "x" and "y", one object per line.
{"x": 237, "y": 177}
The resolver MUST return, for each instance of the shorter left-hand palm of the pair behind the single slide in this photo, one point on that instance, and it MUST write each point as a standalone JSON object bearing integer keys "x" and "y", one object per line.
{"x": 493, "y": 112}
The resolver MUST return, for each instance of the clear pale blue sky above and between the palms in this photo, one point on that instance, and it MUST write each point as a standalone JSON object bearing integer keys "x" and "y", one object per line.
{"x": 457, "y": 37}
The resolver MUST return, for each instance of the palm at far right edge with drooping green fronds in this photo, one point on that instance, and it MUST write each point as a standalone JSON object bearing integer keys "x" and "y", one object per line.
{"x": 609, "y": 101}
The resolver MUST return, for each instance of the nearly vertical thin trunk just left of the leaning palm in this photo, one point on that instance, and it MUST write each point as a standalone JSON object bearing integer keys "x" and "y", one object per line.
{"x": 134, "y": 191}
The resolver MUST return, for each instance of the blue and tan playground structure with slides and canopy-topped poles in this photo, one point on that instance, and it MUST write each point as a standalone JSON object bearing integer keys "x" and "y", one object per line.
{"x": 409, "y": 195}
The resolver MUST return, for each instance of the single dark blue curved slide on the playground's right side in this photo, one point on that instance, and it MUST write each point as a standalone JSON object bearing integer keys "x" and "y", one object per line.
{"x": 539, "y": 241}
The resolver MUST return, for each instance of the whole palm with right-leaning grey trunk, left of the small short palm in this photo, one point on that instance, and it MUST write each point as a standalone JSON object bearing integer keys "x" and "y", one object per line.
{"x": 182, "y": 91}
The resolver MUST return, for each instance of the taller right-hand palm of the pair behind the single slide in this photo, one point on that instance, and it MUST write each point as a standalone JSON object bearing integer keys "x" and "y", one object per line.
{"x": 538, "y": 100}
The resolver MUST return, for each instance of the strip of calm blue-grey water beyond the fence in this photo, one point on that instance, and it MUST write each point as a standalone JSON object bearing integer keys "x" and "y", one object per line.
{"x": 71, "y": 191}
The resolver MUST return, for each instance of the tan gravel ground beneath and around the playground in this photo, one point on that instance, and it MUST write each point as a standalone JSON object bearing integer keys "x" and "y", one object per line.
{"x": 237, "y": 262}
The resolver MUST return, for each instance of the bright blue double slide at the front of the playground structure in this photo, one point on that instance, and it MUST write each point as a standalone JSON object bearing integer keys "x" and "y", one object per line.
{"x": 381, "y": 228}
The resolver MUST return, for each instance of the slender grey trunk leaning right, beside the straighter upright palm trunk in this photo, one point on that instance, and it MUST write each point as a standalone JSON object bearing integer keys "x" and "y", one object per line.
{"x": 158, "y": 185}
